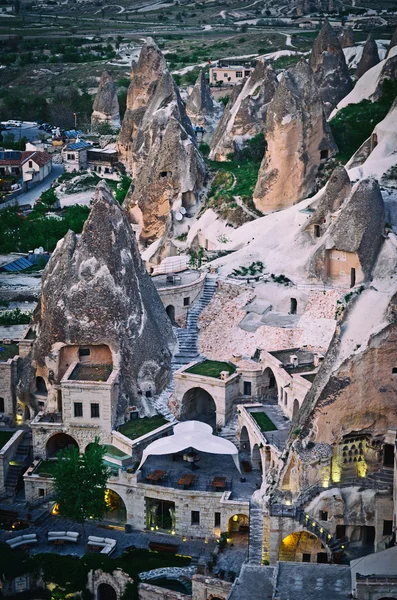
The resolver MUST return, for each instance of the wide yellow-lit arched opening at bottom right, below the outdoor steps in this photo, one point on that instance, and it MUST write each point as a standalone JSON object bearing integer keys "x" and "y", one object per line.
{"x": 302, "y": 546}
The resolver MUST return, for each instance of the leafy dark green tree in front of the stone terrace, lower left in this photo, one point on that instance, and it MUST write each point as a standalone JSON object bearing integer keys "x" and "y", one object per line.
{"x": 80, "y": 484}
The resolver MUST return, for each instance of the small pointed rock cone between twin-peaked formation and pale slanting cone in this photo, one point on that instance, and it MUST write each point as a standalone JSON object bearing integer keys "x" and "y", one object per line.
{"x": 202, "y": 109}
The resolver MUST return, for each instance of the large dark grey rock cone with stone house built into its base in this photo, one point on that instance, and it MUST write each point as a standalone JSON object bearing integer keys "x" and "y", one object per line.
{"x": 96, "y": 291}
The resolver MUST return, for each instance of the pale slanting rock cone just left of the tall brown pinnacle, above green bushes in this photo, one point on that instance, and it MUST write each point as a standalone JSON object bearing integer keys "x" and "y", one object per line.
{"x": 245, "y": 115}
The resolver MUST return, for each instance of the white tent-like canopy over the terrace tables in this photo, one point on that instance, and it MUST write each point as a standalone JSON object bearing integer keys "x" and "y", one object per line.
{"x": 192, "y": 434}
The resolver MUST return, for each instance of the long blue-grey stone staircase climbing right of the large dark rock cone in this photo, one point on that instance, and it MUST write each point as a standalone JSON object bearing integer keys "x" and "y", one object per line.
{"x": 187, "y": 347}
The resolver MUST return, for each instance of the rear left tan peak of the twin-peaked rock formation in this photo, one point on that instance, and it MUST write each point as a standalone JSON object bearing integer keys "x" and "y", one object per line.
{"x": 144, "y": 78}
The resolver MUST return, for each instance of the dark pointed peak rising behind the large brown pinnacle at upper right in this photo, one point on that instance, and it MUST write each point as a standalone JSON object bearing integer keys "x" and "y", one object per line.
{"x": 329, "y": 67}
